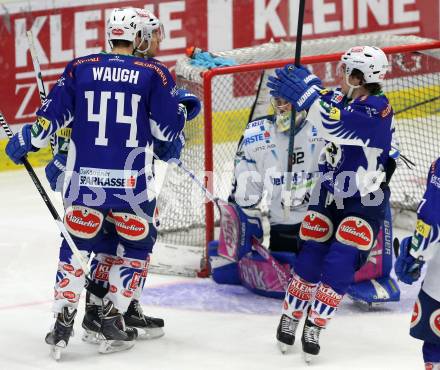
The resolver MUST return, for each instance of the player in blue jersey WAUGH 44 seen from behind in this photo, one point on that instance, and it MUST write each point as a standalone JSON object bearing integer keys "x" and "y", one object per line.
{"x": 117, "y": 105}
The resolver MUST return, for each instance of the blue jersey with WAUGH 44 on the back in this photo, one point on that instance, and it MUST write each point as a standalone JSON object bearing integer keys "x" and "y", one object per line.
{"x": 116, "y": 106}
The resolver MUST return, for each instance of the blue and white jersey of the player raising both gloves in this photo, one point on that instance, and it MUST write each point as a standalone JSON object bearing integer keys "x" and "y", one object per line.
{"x": 358, "y": 136}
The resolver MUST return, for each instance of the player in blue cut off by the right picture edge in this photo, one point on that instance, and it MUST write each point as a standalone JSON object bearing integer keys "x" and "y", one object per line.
{"x": 414, "y": 252}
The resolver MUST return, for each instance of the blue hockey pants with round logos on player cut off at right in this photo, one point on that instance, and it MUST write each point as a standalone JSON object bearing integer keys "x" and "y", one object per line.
{"x": 425, "y": 321}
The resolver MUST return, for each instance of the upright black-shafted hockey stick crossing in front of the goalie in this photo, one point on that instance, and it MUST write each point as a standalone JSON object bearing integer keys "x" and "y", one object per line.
{"x": 288, "y": 192}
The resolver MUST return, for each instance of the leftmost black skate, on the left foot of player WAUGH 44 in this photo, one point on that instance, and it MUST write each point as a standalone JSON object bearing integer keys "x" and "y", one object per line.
{"x": 59, "y": 336}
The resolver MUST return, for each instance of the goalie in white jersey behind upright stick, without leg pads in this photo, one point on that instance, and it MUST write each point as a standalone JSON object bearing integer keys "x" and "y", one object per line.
{"x": 260, "y": 167}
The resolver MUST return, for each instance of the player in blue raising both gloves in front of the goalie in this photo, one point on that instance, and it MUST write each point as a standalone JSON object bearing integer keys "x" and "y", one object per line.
{"x": 348, "y": 206}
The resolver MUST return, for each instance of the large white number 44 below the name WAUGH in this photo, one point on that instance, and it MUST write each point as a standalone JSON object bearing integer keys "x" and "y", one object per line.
{"x": 101, "y": 116}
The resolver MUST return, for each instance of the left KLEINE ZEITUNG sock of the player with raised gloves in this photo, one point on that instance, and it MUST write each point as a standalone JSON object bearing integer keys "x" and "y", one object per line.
{"x": 298, "y": 296}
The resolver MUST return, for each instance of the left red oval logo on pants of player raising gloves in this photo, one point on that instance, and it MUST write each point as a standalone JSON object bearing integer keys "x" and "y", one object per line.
{"x": 316, "y": 226}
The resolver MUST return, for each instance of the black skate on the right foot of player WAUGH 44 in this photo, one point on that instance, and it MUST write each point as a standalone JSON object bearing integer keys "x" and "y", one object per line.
{"x": 115, "y": 335}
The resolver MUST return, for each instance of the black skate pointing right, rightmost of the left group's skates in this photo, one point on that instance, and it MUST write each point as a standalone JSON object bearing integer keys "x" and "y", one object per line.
{"x": 147, "y": 327}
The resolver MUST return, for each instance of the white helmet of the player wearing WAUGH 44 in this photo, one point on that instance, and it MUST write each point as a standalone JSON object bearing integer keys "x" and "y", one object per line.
{"x": 123, "y": 24}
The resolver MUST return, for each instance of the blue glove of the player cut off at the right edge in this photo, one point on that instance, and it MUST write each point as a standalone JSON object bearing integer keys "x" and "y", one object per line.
{"x": 407, "y": 267}
